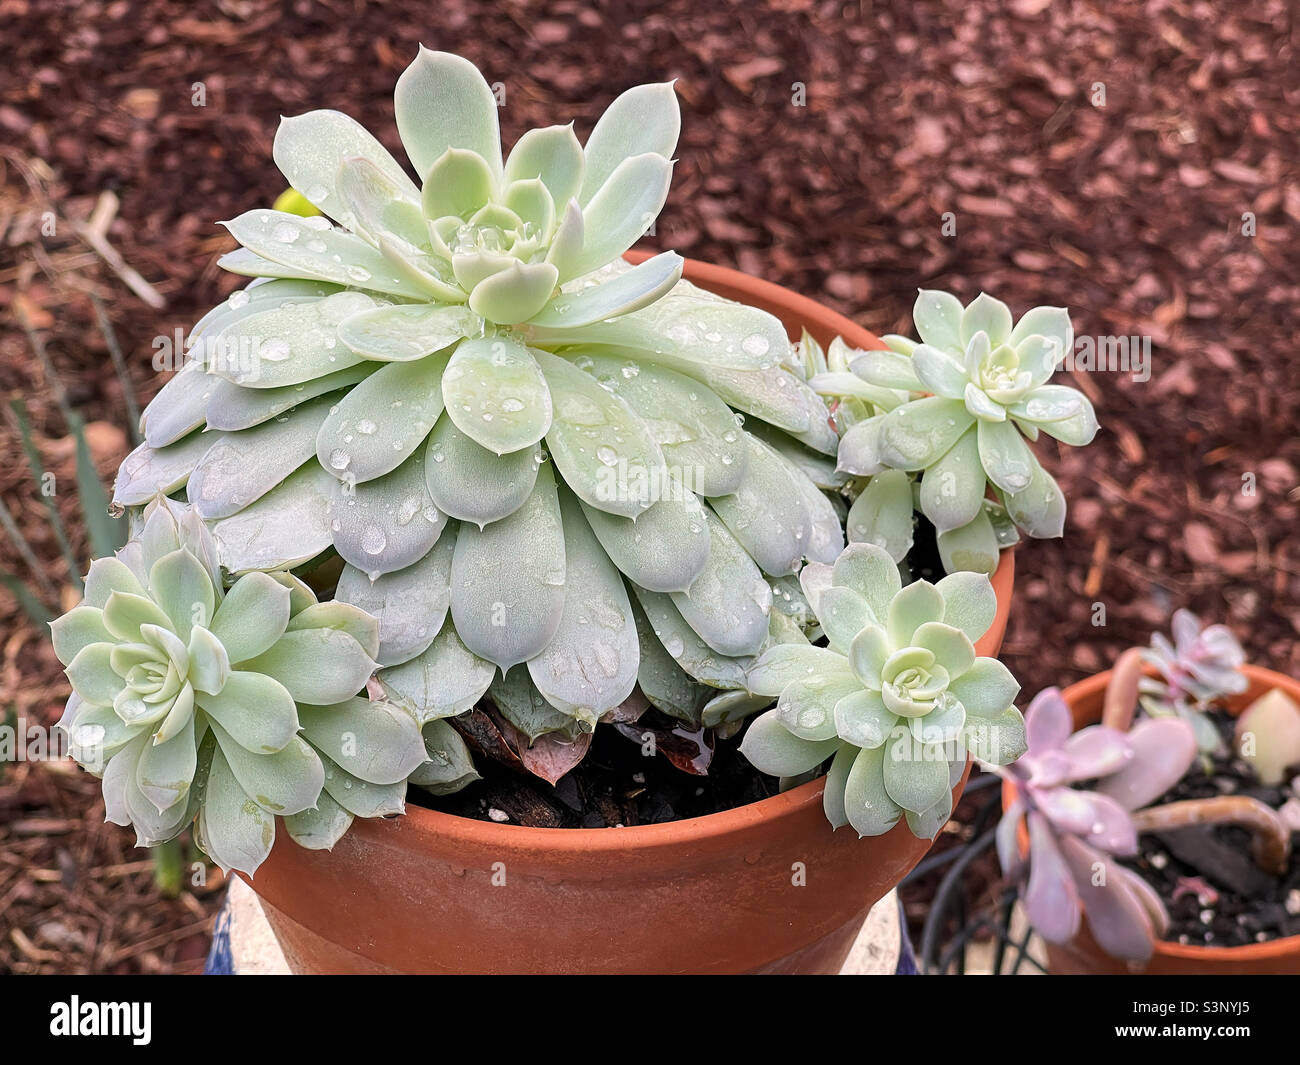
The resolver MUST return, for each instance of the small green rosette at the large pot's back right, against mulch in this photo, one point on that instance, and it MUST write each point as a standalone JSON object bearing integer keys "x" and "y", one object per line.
{"x": 954, "y": 413}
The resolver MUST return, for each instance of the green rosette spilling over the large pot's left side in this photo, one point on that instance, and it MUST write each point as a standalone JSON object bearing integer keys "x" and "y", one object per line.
{"x": 227, "y": 708}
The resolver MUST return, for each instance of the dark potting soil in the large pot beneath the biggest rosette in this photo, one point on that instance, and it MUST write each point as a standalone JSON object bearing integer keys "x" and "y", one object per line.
{"x": 616, "y": 785}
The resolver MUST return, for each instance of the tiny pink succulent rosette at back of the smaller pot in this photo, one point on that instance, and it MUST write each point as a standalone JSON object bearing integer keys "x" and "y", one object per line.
{"x": 1198, "y": 669}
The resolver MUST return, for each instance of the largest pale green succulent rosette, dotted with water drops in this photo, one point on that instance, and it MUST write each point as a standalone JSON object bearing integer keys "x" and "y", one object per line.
{"x": 434, "y": 379}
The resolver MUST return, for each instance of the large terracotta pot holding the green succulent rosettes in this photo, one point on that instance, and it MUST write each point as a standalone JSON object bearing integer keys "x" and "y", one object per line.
{"x": 430, "y": 893}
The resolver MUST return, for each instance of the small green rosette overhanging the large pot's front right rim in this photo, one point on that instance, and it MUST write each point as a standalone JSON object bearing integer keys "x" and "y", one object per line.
{"x": 899, "y": 698}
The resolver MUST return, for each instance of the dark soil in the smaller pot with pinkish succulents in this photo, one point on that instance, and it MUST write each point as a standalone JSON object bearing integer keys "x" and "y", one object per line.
{"x": 1215, "y": 893}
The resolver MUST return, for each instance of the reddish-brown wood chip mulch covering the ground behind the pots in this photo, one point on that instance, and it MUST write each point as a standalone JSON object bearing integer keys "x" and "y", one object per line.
{"x": 985, "y": 115}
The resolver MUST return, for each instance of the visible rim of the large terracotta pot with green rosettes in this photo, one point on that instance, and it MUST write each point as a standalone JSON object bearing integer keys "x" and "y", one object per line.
{"x": 792, "y": 804}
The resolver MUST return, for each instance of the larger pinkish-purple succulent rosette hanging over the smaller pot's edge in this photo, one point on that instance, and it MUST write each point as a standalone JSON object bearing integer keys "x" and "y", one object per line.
{"x": 1076, "y": 835}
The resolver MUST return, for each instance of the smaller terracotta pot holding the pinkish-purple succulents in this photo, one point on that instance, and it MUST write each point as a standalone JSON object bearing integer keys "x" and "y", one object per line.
{"x": 1082, "y": 955}
